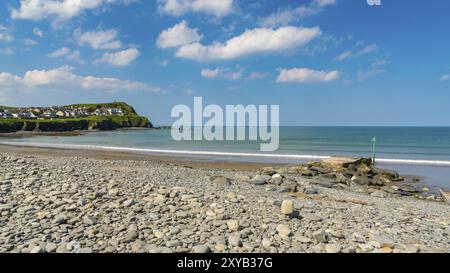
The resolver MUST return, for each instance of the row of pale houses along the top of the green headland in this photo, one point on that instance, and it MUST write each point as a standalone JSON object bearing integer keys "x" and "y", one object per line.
{"x": 58, "y": 113}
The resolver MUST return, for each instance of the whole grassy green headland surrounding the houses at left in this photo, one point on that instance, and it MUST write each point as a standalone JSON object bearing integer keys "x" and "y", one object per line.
{"x": 127, "y": 119}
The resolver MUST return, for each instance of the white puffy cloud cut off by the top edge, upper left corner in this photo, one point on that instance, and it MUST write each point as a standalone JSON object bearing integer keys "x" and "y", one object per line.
{"x": 61, "y": 10}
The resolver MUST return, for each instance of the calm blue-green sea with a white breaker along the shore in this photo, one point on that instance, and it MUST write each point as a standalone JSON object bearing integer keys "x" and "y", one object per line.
{"x": 415, "y": 151}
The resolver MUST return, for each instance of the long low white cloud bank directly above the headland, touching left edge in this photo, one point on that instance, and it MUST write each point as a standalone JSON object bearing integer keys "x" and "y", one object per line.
{"x": 64, "y": 78}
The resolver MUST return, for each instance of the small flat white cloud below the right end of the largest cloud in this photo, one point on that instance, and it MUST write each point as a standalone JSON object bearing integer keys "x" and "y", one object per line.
{"x": 304, "y": 75}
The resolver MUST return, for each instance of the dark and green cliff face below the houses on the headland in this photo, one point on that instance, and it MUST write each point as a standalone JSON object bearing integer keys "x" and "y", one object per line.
{"x": 130, "y": 119}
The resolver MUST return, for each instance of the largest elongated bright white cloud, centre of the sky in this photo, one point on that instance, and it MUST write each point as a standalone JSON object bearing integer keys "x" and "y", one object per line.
{"x": 254, "y": 41}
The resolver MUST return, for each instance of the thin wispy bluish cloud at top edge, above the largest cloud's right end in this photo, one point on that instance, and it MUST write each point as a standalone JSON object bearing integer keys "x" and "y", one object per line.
{"x": 286, "y": 16}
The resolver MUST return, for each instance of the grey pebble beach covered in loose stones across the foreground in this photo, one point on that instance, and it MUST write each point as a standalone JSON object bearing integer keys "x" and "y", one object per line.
{"x": 55, "y": 200}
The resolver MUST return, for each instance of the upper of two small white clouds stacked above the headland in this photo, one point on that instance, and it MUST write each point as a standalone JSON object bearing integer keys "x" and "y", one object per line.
{"x": 100, "y": 39}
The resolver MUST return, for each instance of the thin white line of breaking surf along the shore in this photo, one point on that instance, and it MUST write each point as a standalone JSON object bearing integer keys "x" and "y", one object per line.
{"x": 212, "y": 153}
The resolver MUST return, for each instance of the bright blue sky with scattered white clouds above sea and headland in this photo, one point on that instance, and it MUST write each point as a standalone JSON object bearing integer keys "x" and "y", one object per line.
{"x": 325, "y": 62}
